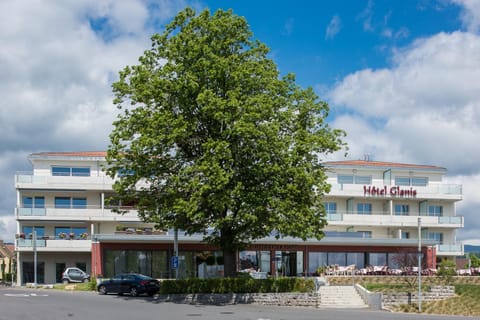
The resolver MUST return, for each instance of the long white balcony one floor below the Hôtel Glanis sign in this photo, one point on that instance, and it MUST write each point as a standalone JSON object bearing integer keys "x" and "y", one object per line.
{"x": 387, "y": 220}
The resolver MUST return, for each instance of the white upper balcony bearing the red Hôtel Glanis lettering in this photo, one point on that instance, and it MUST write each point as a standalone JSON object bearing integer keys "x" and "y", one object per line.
{"x": 435, "y": 191}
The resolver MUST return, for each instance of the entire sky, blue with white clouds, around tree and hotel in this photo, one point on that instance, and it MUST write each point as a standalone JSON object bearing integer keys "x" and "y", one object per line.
{"x": 401, "y": 77}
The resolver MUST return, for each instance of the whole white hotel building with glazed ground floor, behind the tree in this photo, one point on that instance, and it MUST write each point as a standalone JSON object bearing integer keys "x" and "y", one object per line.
{"x": 375, "y": 211}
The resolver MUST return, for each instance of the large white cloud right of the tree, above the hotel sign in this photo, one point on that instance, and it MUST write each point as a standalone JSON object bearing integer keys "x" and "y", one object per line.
{"x": 424, "y": 109}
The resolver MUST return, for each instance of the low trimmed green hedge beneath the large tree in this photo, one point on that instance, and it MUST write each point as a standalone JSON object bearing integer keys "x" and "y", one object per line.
{"x": 237, "y": 285}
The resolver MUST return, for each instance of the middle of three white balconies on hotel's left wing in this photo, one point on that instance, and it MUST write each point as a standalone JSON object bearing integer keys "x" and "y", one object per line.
{"x": 90, "y": 213}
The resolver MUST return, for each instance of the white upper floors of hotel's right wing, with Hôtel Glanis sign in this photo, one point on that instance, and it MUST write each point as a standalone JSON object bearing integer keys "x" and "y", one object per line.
{"x": 385, "y": 201}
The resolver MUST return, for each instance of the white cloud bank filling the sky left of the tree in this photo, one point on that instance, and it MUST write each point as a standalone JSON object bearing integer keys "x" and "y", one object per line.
{"x": 57, "y": 62}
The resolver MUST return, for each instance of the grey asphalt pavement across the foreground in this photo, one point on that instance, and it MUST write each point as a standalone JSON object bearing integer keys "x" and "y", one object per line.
{"x": 50, "y": 304}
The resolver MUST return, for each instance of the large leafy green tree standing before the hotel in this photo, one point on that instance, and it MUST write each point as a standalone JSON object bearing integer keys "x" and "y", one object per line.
{"x": 211, "y": 139}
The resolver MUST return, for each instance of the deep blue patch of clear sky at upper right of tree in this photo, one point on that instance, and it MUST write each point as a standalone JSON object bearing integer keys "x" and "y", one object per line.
{"x": 323, "y": 41}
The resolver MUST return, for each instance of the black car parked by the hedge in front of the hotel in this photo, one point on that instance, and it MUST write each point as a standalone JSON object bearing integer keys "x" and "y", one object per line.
{"x": 132, "y": 283}
